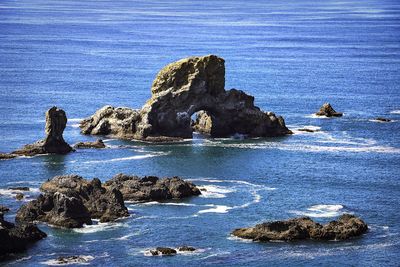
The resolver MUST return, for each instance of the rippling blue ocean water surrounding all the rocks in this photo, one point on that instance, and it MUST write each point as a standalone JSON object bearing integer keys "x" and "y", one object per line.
{"x": 292, "y": 56}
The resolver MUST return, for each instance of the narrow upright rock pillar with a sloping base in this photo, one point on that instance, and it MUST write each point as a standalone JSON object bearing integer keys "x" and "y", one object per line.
{"x": 56, "y": 120}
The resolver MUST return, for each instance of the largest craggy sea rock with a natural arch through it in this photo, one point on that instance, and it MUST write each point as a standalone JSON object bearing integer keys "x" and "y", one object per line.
{"x": 181, "y": 89}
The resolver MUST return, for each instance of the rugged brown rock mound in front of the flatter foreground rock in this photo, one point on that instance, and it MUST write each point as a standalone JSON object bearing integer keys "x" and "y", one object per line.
{"x": 71, "y": 201}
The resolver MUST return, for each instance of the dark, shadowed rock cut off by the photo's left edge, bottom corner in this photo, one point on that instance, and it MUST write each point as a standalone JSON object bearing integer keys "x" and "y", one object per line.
{"x": 16, "y": 238}
